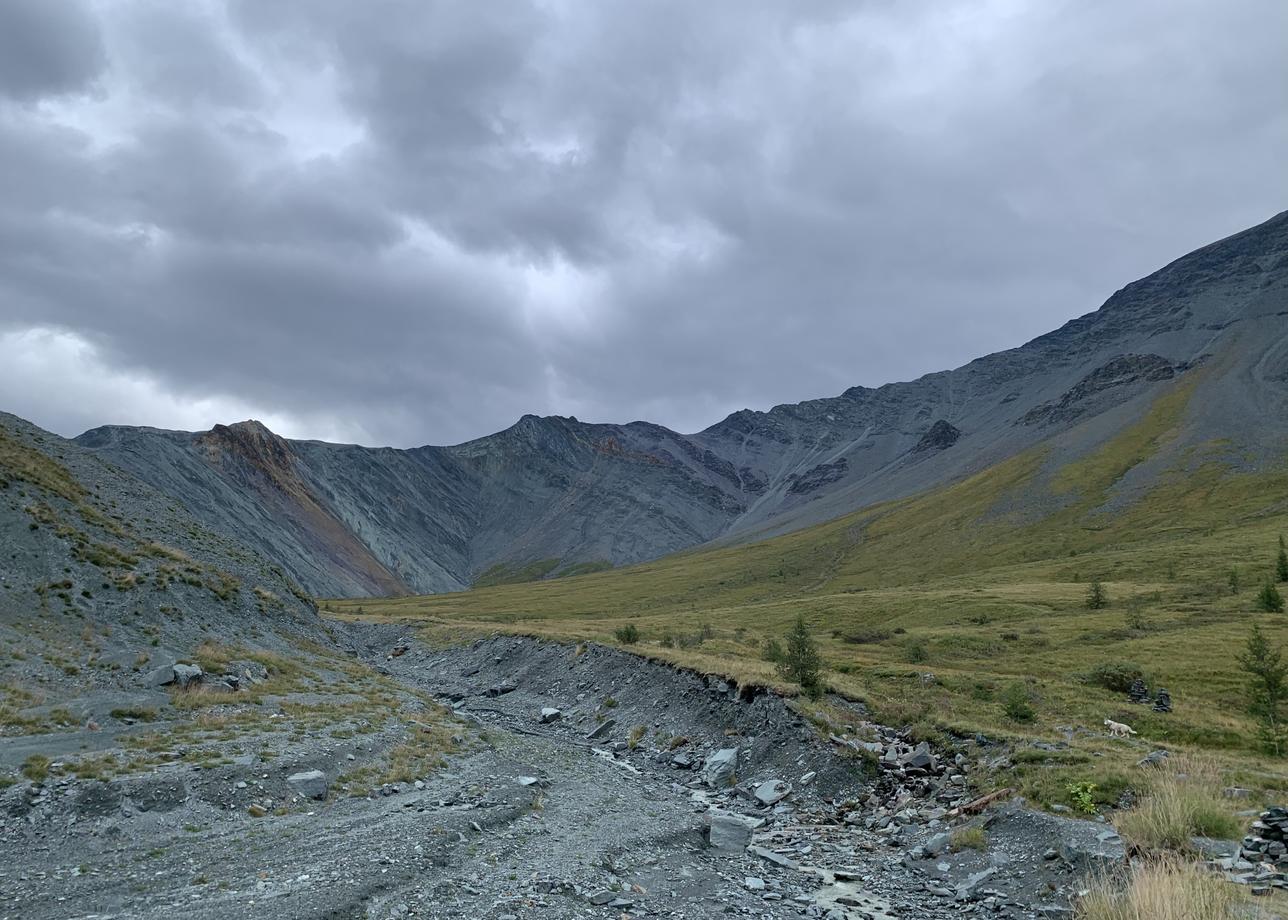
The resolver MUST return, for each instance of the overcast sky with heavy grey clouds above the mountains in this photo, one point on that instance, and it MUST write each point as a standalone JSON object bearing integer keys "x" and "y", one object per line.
{"x": 405, "y": 222}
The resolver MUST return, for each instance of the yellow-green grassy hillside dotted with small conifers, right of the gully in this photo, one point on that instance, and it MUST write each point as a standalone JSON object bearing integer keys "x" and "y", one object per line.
{"x": 973, "y": 587}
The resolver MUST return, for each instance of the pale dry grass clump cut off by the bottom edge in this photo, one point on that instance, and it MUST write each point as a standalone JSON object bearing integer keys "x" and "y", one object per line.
{"x": 1162, "y": 890}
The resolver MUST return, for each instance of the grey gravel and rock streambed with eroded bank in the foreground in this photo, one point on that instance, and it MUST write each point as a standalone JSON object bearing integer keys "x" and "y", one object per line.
{"x": 588, "y": 784}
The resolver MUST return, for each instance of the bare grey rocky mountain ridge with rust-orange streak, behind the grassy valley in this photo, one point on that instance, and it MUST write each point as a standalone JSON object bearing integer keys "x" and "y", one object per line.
{"x": 557, "y": 495}
